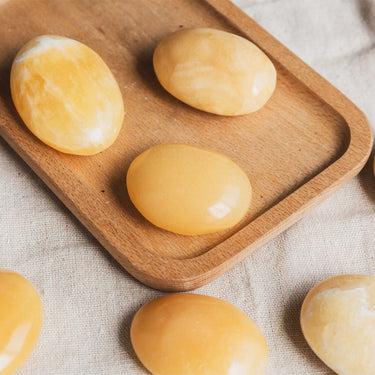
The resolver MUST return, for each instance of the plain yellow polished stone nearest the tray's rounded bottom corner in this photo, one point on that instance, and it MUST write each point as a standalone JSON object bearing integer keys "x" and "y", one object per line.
{"x": 187, "y": 189}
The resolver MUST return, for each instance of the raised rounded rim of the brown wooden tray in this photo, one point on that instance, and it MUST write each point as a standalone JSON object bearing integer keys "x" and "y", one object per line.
{"x": 179, "y": 275}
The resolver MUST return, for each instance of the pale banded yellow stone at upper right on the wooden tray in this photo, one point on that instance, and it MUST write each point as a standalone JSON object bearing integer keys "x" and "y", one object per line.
{"x": 215, "y": 71}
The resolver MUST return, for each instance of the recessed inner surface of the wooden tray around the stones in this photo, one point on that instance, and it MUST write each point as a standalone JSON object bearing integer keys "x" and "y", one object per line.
{"x": 282, "y": 146}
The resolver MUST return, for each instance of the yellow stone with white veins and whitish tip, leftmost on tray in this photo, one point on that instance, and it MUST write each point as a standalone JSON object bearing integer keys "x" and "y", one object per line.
{"x": 66, "y": 95}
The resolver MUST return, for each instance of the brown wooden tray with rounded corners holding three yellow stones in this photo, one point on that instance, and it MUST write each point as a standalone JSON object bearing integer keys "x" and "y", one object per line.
{"x": 303, "y": 145}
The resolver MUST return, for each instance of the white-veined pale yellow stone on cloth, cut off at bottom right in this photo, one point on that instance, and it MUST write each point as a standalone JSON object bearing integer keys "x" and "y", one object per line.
{"x": 338, "y": 321}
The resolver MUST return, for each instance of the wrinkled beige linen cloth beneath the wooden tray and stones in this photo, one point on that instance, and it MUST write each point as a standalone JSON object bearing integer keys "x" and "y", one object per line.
{"x": 89, "y": 300}
